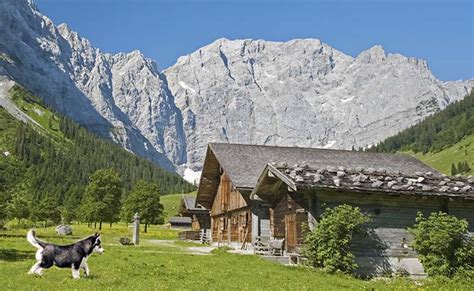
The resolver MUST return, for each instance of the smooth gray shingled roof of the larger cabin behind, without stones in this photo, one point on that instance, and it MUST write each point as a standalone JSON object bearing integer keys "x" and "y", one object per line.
{"x": 244, "y": 163}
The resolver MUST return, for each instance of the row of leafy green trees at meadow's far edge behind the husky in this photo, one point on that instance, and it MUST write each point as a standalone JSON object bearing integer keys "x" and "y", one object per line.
{"x": 104, "y": 201}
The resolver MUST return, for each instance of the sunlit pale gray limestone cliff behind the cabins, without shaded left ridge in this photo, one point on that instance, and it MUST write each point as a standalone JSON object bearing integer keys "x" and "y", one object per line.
{"x": 301, "y": 93}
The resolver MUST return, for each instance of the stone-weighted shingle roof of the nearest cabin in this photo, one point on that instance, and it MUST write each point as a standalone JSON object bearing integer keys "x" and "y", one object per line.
{"x": 366, "y": 180}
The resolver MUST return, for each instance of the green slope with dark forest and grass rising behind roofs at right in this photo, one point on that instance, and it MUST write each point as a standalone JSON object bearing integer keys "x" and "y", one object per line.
{"x": 439, "y": 135}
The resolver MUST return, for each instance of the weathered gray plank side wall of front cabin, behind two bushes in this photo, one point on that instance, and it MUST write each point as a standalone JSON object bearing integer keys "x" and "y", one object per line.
{"x": 387, "y": 247}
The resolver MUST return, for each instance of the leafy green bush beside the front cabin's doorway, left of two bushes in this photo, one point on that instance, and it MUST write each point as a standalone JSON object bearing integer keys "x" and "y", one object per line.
{"x": 328, "y": 245}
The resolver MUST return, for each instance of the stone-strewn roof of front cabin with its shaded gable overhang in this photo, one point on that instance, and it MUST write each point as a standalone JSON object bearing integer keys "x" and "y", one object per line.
{"x": 272, "y": 179}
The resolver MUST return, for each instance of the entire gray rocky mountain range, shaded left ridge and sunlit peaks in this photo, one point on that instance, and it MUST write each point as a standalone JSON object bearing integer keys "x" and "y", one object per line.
{"x": 297, "y": 93}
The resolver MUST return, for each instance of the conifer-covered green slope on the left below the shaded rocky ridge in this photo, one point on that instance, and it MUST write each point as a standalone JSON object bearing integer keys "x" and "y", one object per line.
{"x": 50, "y": 166}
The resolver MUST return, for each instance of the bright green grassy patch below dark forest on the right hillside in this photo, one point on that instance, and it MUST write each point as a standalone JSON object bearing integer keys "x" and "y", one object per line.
{"x": 442, "y": 160}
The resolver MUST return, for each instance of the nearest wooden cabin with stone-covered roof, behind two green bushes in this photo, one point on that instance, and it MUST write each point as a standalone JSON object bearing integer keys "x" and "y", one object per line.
{"x": 297, "y": 196}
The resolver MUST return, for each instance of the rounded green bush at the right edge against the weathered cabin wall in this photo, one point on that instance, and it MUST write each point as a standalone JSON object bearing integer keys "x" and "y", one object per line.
{"x": 443, "y": 244}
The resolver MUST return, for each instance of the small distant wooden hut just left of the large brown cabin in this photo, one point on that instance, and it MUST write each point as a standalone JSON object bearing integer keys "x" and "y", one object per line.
{"x": 199, "y": 214}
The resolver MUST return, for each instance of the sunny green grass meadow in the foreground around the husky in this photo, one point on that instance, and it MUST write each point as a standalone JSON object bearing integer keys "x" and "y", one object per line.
{"x": 160, "y": 262}
